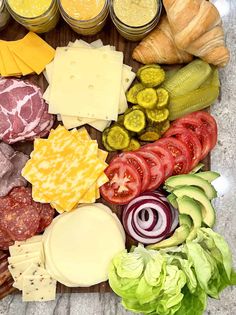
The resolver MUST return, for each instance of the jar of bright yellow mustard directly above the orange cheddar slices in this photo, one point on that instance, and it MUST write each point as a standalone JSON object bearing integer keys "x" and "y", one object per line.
{"x": 39, "y": 16}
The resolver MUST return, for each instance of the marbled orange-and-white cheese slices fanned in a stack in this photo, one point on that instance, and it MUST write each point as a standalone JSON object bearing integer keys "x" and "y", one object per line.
{"x": 66, "y": 169}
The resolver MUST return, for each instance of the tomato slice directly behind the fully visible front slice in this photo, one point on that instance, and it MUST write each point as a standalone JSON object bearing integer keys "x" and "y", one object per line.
{"x": 140, "y": 165}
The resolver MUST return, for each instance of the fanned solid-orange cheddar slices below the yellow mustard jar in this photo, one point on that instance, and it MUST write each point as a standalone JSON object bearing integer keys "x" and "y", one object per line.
{"x": 25, "y": 56}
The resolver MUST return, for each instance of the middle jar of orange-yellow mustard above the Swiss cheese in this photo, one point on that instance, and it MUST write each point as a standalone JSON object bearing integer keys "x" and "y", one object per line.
{"x": 86, "y": 17}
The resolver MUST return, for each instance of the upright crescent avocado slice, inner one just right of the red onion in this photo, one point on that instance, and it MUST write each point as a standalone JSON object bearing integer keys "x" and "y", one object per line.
{"x": 189, "y": 206}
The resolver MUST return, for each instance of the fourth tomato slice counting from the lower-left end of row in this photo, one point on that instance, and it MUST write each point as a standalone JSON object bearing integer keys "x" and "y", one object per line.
{"x": 166, "y": 157}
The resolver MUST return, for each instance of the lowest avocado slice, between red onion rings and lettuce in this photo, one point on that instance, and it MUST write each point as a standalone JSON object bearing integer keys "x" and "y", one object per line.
{"x": 179, "y": 236}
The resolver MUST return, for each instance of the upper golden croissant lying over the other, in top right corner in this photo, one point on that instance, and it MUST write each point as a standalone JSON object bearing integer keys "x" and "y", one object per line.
{"x": 196, "y": 27}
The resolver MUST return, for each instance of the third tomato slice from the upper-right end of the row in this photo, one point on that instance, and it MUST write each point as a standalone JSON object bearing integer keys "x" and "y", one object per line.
{"x": 190, "y": 139}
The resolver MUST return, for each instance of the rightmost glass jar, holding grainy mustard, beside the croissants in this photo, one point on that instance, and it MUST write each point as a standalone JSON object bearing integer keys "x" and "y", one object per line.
{"x": 135, "y": 24}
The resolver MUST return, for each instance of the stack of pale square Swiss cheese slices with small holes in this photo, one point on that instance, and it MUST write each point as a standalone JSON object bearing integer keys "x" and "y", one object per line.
{"x": 87, "y": 84}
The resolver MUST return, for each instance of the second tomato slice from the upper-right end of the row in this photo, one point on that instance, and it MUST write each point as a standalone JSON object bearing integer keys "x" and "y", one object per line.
{"x": 193, "y": 123}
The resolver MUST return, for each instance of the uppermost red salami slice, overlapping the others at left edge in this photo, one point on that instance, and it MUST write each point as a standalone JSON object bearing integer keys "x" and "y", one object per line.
{"x": 21, "y": 221}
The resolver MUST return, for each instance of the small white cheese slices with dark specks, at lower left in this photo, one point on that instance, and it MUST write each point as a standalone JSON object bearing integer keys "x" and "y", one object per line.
{"x": 26, "y": 265}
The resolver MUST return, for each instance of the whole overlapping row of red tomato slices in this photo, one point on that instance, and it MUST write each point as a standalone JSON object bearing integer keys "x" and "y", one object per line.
{"x": 184, "y": 145}
